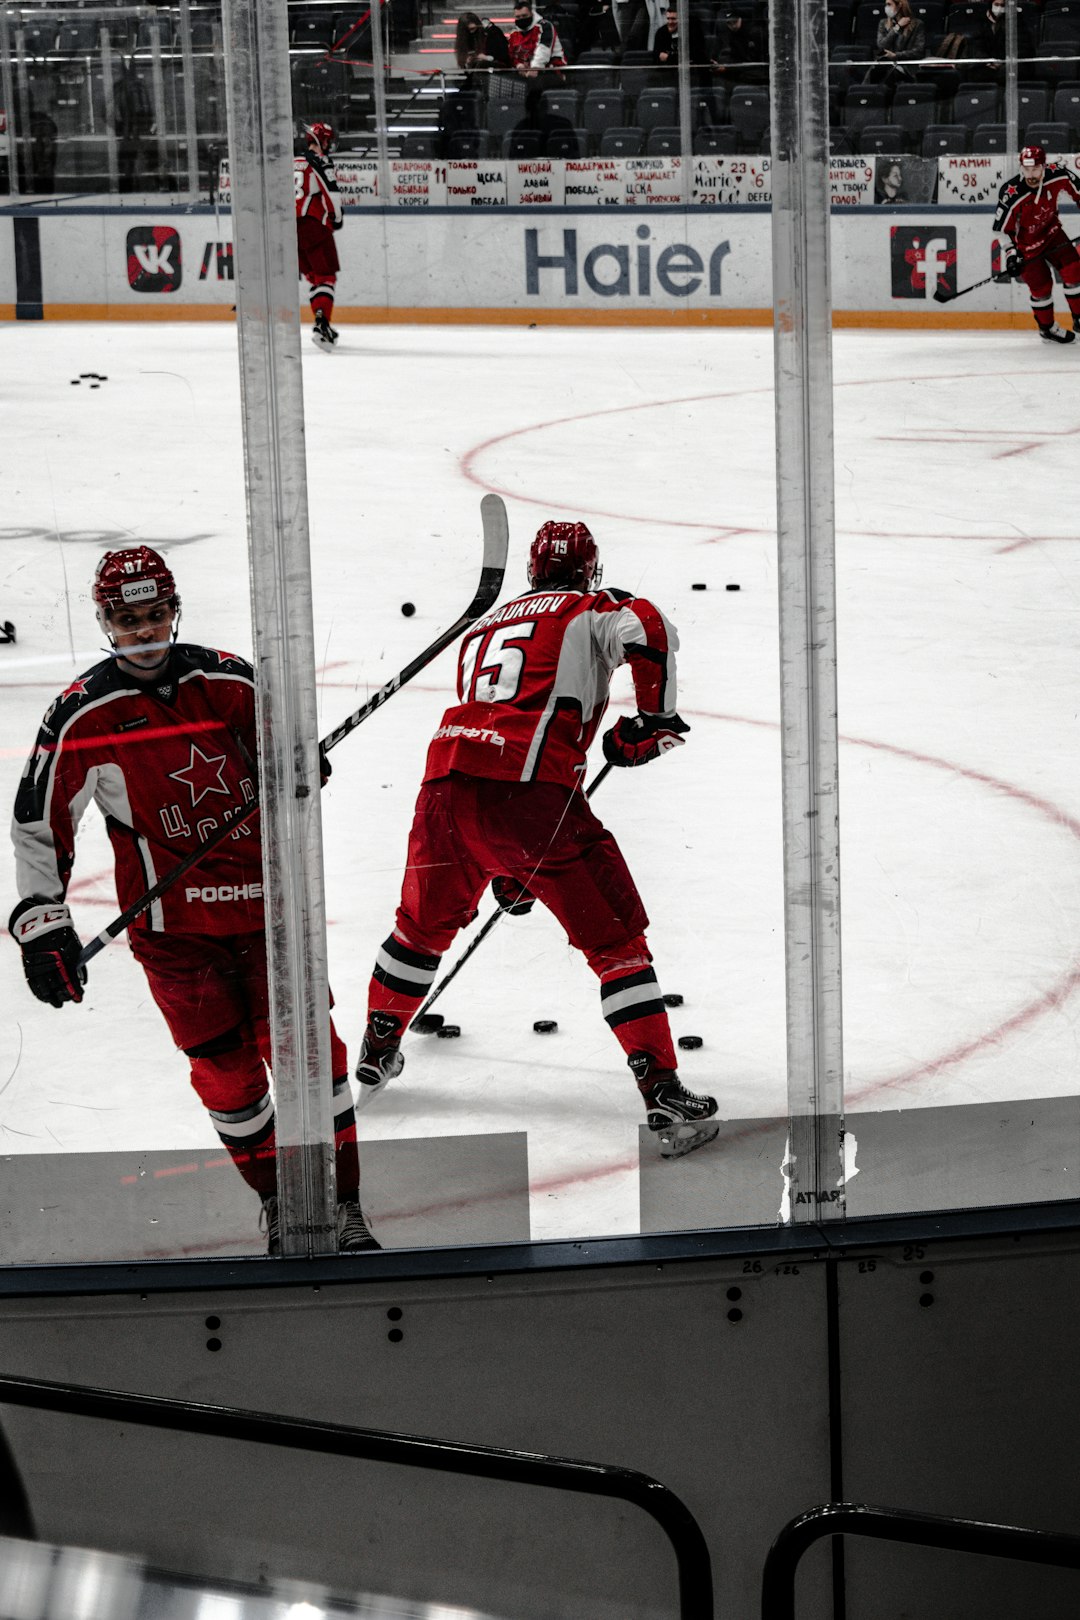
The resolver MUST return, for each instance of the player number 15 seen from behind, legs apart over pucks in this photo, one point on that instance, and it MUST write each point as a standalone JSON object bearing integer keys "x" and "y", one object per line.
{"x": 503, "y": 804}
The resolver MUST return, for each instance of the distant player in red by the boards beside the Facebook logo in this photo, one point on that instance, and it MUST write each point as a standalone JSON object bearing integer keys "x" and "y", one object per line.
{"x": 1027, "y": 213}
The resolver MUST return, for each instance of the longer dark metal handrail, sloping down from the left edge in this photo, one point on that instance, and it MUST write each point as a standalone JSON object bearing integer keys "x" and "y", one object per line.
{"x": 381, "y": 1446}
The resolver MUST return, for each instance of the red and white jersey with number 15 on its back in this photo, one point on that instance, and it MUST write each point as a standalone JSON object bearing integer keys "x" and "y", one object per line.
{"x": 534, "y": 683}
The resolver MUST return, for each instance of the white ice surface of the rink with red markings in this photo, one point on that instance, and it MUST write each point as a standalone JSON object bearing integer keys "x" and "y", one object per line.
{"x": 959, "y": 592}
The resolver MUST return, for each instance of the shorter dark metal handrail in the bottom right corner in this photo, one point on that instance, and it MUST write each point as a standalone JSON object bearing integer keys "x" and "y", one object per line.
{"x": 921, "y": 1530}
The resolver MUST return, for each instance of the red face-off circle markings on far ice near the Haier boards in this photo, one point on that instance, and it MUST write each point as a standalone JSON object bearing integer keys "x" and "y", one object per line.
{"x": 1011, "y": 445}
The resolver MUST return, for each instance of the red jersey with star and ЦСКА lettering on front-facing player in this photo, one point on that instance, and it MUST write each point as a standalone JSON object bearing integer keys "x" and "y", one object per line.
{"x": 164, "y": 762}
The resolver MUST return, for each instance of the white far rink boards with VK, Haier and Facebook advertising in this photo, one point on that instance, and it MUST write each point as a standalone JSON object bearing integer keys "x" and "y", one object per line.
{"x": 652, "y": 265}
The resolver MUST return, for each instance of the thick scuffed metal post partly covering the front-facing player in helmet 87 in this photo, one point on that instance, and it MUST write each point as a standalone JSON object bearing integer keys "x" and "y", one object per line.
{"x": 265, "y": 234}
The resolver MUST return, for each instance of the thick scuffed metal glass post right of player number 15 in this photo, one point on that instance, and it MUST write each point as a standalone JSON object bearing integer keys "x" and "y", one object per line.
{"x": 807, "y": 584}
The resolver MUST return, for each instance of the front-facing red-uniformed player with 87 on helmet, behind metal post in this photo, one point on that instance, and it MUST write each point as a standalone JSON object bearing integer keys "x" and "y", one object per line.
{"x": 163, "y": 738}
